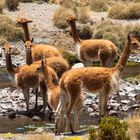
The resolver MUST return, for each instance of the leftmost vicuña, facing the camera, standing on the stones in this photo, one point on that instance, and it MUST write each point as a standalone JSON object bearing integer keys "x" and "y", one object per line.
{"x": 25, "y": 77}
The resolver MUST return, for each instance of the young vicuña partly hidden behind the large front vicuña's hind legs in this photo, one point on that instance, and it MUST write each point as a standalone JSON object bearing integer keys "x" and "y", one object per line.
{"x": 54, "y": 95}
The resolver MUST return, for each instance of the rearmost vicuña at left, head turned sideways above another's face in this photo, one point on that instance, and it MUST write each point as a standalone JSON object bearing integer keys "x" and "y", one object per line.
{"x": 38, "y": 50}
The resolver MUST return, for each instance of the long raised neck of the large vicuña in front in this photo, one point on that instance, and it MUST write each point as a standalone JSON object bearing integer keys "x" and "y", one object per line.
{"x": 124, "y": 57}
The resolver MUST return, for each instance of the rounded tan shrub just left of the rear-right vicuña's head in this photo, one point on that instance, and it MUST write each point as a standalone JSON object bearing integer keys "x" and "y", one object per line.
{"x": 60, "y": 17}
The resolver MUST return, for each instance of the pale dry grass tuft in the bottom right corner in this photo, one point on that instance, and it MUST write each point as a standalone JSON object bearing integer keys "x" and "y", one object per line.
{"x": 134, "y": 127}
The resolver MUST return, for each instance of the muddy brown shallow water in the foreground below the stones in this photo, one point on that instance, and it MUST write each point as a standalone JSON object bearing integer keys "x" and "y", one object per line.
{"x": 11, "y": 125}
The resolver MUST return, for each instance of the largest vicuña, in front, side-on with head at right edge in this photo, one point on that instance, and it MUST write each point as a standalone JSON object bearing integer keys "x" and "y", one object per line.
{"x": 103, "y": 80}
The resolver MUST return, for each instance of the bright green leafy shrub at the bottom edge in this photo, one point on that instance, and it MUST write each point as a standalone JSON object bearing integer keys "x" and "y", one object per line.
{"x": 111, "y": 128}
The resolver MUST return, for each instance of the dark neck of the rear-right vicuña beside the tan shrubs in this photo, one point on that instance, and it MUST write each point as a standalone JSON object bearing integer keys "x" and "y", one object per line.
{"x": 74, "y": 33}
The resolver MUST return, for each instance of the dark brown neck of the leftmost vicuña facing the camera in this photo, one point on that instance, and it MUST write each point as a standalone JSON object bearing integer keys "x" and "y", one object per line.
{"x": 9, "y": 65}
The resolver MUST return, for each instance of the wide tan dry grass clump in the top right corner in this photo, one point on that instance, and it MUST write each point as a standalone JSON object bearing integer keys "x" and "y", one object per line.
{"x": 121, "y": 11}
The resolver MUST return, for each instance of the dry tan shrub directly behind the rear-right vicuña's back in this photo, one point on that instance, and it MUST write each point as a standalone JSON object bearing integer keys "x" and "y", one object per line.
{"x": 112, "y": 31}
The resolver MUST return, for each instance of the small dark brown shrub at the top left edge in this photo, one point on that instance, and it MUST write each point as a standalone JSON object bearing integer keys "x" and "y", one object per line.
{"x": 12, "y": 5}
